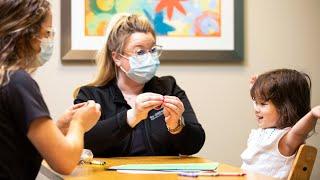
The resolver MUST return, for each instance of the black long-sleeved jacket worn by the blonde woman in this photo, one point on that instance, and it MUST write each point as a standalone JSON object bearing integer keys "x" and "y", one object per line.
{"x": 112, "y": 136}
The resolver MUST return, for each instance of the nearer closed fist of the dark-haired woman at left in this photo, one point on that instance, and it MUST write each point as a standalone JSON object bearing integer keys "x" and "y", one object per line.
{"x": 88, "y": 115}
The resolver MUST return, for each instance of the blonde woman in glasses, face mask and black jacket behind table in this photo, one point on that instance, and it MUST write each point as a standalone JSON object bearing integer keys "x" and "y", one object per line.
{"x": 142, "y": 114}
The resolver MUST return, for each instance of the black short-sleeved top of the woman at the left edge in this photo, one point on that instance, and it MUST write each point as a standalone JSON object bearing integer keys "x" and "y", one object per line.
{"x": 21, "y": 103}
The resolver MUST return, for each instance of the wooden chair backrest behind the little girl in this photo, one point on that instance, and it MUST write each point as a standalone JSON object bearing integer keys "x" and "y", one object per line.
{"x": 303, "y": 163}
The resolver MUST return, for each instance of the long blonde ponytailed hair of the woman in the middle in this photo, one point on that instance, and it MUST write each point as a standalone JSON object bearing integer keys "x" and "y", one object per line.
{"x": 119, "y": 29}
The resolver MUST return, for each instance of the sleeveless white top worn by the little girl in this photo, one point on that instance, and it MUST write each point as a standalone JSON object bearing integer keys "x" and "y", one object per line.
{"x": 262, "y": 154}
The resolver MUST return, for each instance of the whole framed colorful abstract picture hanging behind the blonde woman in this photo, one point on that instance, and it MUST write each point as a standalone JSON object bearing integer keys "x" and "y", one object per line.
{"x": 193, "y": 30}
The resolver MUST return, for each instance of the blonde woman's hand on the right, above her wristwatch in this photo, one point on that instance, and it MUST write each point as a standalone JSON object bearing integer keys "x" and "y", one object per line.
{"x": 173, "y": 109}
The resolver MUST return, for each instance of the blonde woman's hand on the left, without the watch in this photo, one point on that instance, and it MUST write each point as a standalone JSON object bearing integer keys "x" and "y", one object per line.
{"x": 143, "y": 104}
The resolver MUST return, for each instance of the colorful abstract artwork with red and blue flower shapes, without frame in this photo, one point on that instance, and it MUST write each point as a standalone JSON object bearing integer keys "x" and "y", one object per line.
{"x": 172, "y": 18}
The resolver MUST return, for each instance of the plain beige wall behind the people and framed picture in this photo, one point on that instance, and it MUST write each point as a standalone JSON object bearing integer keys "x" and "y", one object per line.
{"x": 278, "y": 34}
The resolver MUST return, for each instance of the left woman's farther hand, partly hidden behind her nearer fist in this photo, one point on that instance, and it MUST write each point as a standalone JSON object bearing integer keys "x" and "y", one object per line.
{"x": 63, "y": 122}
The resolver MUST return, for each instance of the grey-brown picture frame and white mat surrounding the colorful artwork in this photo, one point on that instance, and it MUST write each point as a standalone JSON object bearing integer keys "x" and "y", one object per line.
{"x": 234, "y": 51}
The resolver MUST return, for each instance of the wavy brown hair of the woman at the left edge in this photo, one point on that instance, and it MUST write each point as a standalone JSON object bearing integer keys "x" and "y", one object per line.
{"x": 20, "y": 22}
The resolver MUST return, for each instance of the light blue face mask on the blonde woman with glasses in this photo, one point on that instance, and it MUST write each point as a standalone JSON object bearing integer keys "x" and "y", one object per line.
{"x": 142, "y": 69}
